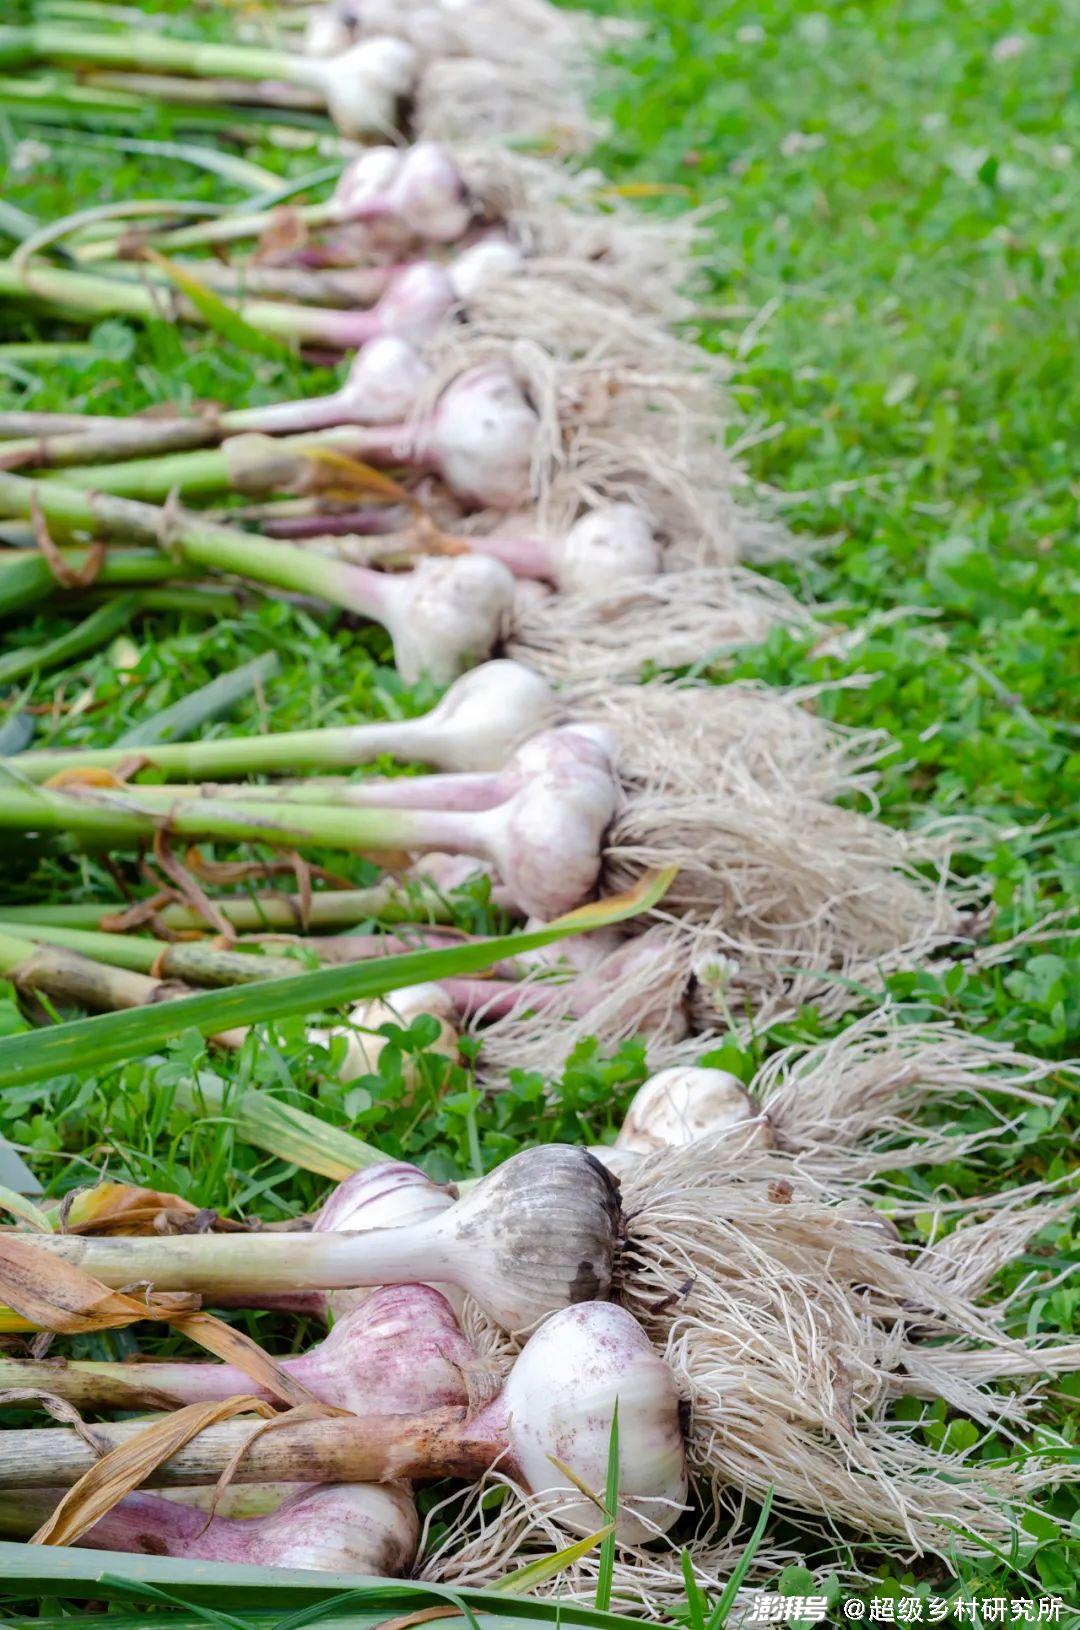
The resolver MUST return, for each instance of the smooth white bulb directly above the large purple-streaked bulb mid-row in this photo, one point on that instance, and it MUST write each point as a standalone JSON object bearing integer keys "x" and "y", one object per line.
{"x": 483, "y": 718}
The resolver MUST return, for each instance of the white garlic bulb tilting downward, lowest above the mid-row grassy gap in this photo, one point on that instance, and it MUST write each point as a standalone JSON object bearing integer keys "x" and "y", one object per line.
{"x": 447, "y": 615}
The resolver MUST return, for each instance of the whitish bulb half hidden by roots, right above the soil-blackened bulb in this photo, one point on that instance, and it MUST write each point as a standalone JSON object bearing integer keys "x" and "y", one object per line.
{"x": 687, "y": 1103}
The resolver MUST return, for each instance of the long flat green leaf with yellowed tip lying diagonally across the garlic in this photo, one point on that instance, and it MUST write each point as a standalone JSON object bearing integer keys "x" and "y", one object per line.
{"x": 113, "y": 1039}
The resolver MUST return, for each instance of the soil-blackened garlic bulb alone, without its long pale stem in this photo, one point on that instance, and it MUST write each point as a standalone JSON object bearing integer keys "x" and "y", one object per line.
{"x": 537, "y": 1235}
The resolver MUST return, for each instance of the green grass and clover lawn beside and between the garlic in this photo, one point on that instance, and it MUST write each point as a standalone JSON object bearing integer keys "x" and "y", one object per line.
{"x": 892, "y": 270}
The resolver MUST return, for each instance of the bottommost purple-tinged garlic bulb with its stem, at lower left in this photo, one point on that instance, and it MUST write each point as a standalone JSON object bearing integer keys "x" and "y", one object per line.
{"x": 340, "y": 1528}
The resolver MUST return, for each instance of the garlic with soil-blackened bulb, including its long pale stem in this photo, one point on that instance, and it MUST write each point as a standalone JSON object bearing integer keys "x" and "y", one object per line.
{"x": 537, "y": 1235}
